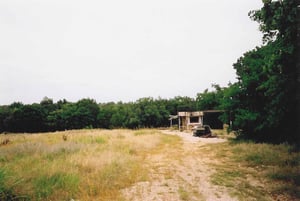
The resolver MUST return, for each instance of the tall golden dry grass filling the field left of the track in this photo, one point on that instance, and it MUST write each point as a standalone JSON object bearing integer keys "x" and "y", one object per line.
{"x": 79, "y": 165}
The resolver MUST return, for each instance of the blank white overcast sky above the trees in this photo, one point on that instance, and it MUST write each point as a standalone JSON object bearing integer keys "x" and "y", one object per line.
{"x": 120, "y": 50}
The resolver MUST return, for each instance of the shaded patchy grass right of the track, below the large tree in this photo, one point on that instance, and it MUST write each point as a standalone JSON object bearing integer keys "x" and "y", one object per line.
{"x": 254, "y": 171}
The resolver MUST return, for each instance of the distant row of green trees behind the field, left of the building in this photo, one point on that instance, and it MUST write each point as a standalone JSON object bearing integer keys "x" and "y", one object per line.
{"x": 87, "y": 113}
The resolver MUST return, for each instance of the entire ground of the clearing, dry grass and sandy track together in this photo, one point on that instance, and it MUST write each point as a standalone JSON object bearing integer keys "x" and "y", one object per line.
{"x": 144, "y": 164}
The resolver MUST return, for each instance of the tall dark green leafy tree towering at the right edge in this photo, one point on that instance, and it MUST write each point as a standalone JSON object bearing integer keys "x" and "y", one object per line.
{"x": 264, "y": 102}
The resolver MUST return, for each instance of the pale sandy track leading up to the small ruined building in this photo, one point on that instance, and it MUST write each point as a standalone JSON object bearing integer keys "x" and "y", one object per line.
{"x": 179, "y": 174}
